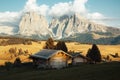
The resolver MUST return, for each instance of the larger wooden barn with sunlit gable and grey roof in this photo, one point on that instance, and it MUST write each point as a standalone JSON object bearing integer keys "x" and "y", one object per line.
{"x": 51, "y": 59}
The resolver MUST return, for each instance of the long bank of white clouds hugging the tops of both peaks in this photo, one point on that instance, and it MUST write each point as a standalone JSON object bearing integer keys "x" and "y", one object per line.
{"x": 57, "y": 10}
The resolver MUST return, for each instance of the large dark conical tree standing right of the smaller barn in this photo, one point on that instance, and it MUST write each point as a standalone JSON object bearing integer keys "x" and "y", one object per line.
{"x": 94, "y": 54}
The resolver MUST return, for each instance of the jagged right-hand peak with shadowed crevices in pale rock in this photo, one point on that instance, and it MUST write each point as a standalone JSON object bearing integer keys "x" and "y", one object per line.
{"x": 68, "y": 25}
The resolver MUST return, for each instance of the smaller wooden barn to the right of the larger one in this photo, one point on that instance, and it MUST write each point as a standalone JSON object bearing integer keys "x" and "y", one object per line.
{"x": 78, "y": 58}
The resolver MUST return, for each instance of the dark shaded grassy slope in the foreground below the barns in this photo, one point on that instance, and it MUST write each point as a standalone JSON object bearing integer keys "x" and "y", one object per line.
{"x": 105, "y": 71}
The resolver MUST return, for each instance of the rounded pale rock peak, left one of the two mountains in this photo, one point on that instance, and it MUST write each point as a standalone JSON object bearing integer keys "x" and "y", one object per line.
{"x": 32, "y": 24}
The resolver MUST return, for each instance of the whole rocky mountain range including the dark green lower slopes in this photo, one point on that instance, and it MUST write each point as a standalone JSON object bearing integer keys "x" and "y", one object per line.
{"x": 73, "y": 28}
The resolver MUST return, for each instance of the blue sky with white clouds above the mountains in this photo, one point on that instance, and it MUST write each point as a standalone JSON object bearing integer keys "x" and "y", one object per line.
{"x": 105, "y": 12}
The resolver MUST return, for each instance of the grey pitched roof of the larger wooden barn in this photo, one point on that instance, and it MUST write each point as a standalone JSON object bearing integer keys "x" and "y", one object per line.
{"x": 47, "y": 53}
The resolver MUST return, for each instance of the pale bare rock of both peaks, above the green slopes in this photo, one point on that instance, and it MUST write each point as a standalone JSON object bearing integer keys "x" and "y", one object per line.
{"x": 33, "y": 24}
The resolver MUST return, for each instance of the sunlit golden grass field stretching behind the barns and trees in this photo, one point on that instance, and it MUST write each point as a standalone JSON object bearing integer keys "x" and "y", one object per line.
{"x": 35, "y": 47}
